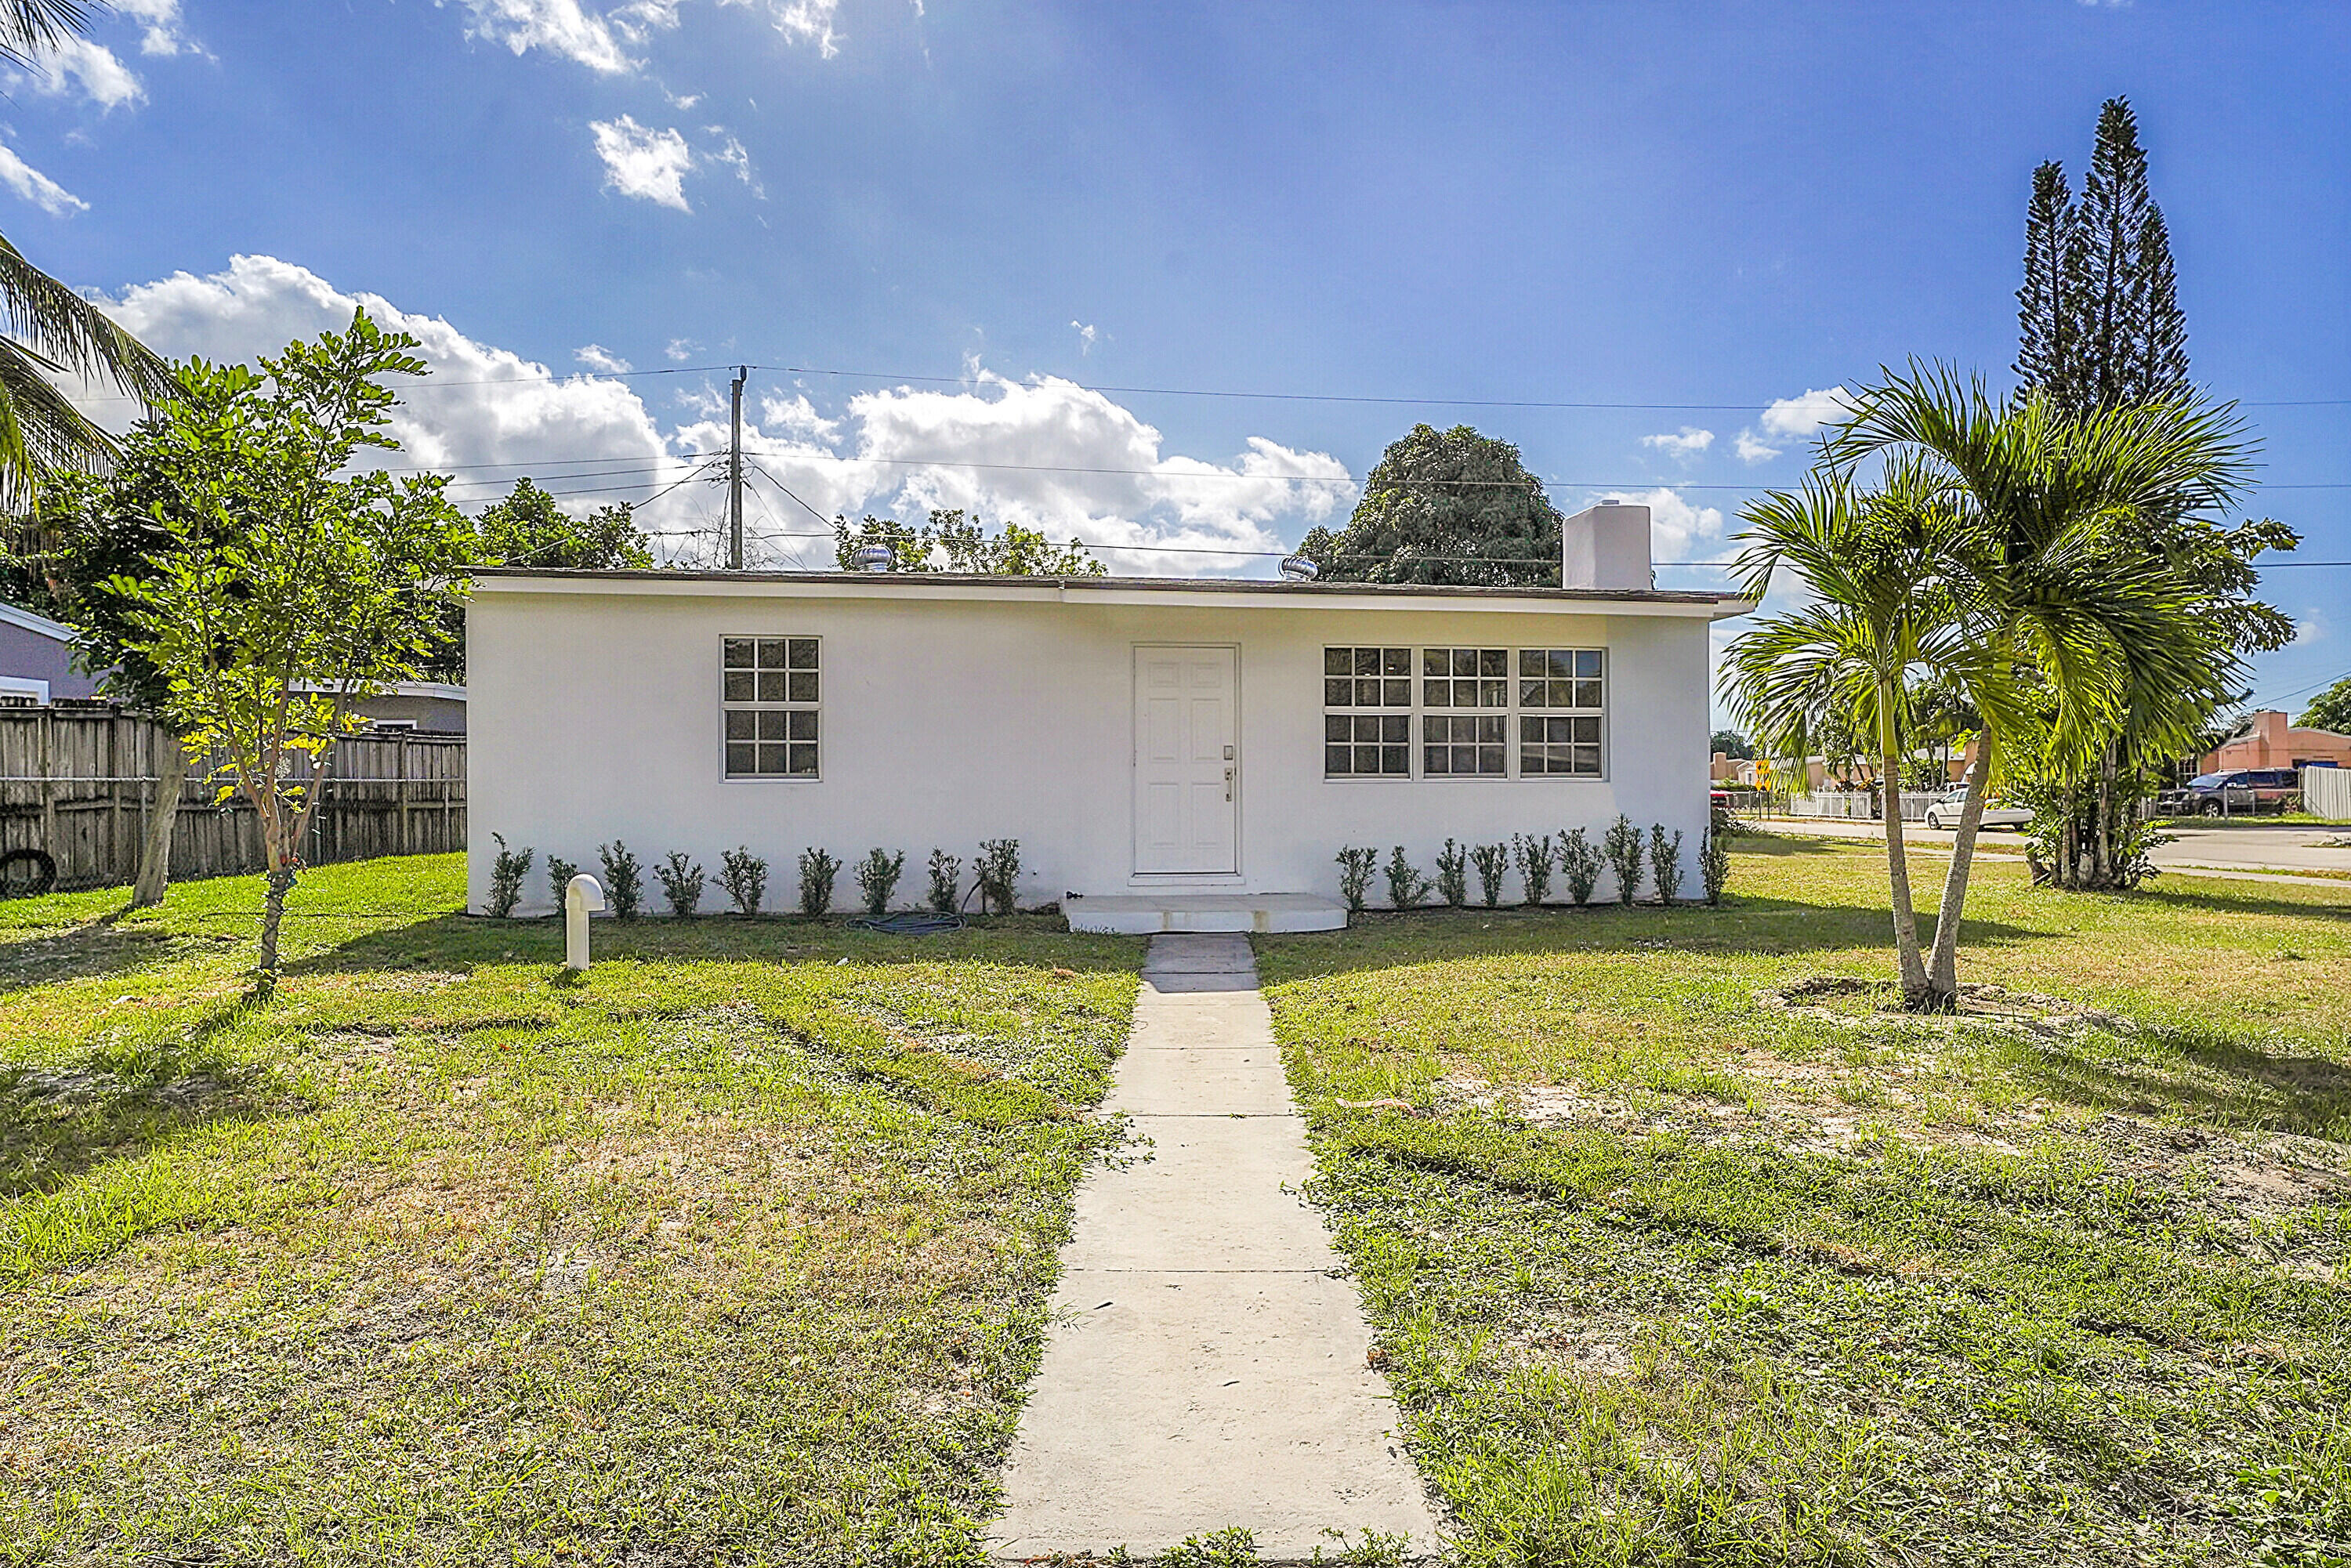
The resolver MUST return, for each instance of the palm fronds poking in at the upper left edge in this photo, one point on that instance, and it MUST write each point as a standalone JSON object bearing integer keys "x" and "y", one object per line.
{"x": 46, "y": 328}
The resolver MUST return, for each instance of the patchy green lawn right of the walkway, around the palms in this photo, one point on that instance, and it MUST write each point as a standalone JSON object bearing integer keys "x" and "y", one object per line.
{"x": 1673, "y": 1275}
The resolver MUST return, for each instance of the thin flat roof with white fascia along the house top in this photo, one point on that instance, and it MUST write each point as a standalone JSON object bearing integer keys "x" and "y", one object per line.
{"x": 1113, "y": 589}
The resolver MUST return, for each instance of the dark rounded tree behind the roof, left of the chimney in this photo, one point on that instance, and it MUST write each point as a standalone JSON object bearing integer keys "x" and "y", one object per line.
{"x": 1445, "y": 507}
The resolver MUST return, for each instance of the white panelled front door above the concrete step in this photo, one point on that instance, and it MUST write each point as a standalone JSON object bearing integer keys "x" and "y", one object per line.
{"x": 1186, "y": 760}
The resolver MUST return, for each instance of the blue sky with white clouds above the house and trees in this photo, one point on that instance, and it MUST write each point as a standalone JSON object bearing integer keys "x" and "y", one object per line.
{"x": 1717, "y": 206}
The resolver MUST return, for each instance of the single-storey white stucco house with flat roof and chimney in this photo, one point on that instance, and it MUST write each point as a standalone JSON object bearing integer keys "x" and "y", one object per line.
{"x": 1172, "y": 753}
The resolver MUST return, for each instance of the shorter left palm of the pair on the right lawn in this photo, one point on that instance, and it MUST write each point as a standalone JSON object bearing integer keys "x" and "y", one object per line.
{"x": 1884, "y": 612}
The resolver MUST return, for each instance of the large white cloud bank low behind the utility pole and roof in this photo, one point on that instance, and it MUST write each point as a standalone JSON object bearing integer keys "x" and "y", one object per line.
{"x": 1045, "y": 453}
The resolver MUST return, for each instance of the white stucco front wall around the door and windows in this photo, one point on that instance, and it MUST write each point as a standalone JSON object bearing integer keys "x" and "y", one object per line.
{"x": 951, "y": 723}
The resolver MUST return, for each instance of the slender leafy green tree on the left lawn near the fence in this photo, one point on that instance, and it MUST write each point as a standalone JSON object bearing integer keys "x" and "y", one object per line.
{"x": 288, "y": 587}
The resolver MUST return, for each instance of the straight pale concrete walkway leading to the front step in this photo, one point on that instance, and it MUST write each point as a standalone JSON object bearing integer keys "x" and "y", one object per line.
{"x": 1207, "y": 1365}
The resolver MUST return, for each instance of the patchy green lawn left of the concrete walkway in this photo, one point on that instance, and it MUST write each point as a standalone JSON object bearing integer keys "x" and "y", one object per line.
{"x": 739, "y": 1252}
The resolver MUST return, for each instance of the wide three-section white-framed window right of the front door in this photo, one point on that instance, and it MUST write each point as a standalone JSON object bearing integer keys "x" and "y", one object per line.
{"x": 1466, "y": 713}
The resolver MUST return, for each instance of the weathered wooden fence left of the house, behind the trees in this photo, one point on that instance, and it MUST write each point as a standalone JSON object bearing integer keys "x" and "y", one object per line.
{"x": 81, "y": 786}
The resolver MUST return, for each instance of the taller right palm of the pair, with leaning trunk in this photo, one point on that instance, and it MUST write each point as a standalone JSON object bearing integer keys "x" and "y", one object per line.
{"x": 2072, "y": 626}
